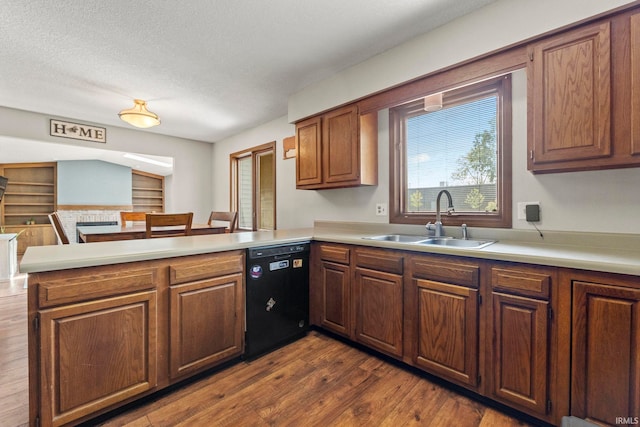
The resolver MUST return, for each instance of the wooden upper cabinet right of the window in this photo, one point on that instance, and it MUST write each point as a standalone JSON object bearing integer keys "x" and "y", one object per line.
{"x": 583, "y": 91}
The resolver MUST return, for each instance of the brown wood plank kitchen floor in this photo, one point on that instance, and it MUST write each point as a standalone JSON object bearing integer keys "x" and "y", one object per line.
{"x": 316, "y": 381}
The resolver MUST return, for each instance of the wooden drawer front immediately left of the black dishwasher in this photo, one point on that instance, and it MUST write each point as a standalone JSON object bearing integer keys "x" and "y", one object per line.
{"x": 208, "y": 266}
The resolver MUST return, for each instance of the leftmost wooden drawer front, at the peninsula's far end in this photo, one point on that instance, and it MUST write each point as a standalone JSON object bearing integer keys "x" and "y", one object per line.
{"x": 92, "y": 286}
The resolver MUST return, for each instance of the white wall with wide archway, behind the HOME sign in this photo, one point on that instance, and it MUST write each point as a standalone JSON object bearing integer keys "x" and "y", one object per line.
{"x": 186, "y": 190}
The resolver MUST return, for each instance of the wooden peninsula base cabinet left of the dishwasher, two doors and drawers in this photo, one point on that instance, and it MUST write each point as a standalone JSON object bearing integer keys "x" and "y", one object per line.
{"x": 104, "y": 336}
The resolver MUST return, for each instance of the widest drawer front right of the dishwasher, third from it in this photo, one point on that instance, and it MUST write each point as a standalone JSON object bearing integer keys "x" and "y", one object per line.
{"x": 448, "y": 272}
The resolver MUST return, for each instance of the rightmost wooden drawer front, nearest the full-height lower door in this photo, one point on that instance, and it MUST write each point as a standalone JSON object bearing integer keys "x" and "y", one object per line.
{"x": 529, "y": 282}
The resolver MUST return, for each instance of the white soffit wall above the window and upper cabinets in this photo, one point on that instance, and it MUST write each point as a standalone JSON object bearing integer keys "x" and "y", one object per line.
{"x": 490, "y": 28}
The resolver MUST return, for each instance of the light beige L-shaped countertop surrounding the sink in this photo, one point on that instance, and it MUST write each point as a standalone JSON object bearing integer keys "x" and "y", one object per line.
{"x": 612, "y": 253}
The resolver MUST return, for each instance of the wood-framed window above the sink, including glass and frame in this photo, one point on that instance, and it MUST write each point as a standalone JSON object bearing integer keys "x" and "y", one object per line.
{"x": 463, "y": 147}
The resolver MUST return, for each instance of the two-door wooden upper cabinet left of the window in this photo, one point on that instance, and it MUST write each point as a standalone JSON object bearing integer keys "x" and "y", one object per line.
{"x": 337, "y": 149}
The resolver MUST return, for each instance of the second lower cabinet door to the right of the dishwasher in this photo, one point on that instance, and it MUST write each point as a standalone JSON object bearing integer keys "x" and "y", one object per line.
{"x": 379, "y": 310}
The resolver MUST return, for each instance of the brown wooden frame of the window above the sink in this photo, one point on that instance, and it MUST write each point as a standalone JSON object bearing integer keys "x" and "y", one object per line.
{"x": 397, "y": 156}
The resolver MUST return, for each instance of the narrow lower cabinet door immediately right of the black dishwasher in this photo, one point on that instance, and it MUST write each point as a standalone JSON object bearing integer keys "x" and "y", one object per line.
{"x": 336, "y": 298}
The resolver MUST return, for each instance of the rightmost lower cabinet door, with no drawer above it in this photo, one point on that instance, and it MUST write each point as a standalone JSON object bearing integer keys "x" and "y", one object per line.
{"x": 605, "y": 371}
